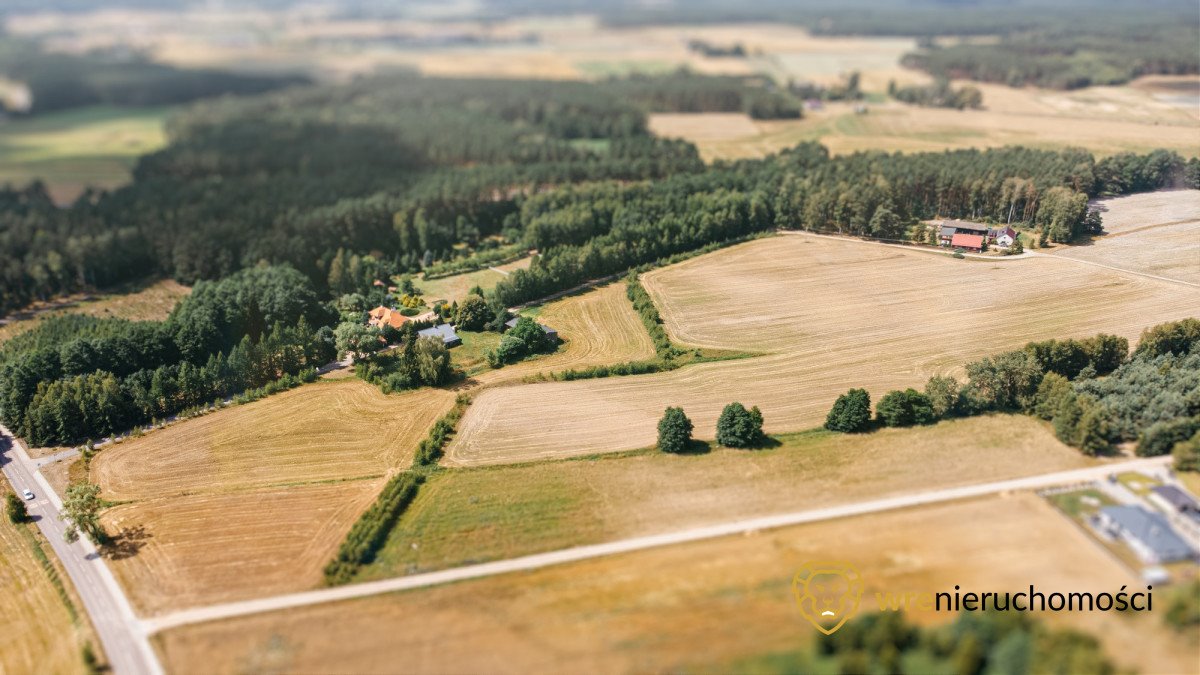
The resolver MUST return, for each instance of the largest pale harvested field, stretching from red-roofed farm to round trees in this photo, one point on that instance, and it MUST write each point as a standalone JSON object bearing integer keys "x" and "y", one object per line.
{"x": 832, "y": 314}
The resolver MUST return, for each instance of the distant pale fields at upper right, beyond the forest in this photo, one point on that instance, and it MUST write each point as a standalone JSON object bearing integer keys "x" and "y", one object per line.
{"x": 1106, "y": 121}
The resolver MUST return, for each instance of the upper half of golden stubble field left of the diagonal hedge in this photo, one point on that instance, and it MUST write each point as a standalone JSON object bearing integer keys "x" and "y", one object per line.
{"x": 322, "y": 432}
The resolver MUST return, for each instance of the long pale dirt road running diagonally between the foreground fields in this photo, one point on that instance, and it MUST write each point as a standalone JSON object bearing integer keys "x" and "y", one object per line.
{"x": 525, "y": 564}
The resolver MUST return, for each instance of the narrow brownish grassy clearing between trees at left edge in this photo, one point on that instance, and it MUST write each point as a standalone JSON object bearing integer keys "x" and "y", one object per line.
{"x": 151, "y": 303}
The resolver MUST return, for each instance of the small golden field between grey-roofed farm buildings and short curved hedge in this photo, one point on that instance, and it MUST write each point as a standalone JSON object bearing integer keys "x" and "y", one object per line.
{"x": 599, "y": 327}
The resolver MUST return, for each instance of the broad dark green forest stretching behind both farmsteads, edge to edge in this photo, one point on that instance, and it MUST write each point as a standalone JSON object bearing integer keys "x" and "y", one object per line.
{"x": 422, "y": 171}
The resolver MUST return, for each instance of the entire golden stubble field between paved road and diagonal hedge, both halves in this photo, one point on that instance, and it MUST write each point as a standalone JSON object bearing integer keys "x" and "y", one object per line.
{"x": 255, "y": 499}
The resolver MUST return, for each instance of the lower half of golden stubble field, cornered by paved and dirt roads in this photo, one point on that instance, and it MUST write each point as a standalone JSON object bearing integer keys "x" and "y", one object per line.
{"x": 200, "y": 549}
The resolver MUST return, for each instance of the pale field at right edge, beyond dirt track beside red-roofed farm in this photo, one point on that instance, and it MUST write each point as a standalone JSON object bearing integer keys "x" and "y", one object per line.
{"x": 1155, "y": 234}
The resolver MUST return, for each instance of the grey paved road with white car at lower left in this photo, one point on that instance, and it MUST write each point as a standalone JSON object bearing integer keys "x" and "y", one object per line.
{"x": 121, "y": 634}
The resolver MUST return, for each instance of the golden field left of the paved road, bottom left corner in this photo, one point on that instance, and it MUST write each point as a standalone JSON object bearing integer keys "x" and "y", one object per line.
{"x": 39, "y": 632}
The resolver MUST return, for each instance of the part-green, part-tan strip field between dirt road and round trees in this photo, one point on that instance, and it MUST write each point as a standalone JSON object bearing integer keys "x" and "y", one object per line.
{"x": 493, "y": 513}
